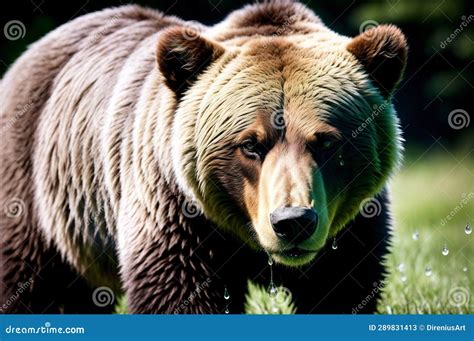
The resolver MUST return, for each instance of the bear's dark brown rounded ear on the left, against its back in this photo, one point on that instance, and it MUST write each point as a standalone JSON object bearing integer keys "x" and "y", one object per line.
{"x": 182, "y": 54}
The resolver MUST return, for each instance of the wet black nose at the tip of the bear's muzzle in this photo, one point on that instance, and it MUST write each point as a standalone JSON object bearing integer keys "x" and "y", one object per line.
{"x": 294, "y": 224}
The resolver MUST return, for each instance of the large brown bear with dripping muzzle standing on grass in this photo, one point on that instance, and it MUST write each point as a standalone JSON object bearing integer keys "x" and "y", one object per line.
{"x": 151, "y": 155}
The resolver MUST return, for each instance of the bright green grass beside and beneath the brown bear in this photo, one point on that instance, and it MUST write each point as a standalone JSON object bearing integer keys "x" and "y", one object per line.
{"x": 427, "y": 188}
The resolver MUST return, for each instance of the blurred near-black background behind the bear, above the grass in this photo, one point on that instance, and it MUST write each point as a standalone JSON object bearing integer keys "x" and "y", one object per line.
{"x": 437, "y": 81}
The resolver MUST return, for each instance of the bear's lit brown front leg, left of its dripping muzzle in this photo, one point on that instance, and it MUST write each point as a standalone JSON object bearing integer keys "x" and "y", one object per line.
{"x": 164, "y": 266}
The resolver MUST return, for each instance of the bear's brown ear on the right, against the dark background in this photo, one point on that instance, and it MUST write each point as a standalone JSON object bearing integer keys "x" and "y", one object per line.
{"x": 382, "y": 50}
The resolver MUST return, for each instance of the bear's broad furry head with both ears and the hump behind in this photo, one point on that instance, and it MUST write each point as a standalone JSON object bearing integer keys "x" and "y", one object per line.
{"x": 282, "y": 127}
